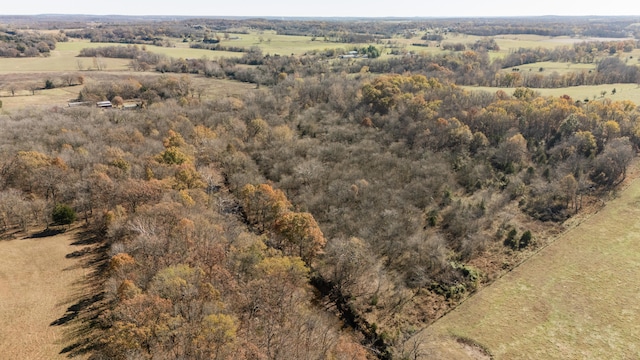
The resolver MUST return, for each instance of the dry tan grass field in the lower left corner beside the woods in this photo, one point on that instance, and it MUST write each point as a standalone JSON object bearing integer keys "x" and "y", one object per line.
{"x": 38, "y": 282}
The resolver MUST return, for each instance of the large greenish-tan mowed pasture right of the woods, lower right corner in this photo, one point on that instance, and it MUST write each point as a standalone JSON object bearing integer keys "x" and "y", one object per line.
{"x": 577, "y": 298}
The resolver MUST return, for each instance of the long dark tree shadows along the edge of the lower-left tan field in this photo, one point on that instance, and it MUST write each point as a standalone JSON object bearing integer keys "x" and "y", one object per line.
{"x": 81, "y": 320}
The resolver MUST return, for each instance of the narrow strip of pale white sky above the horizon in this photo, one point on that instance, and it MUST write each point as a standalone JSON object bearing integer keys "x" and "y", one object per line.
{"x": 324, "y": 8}
